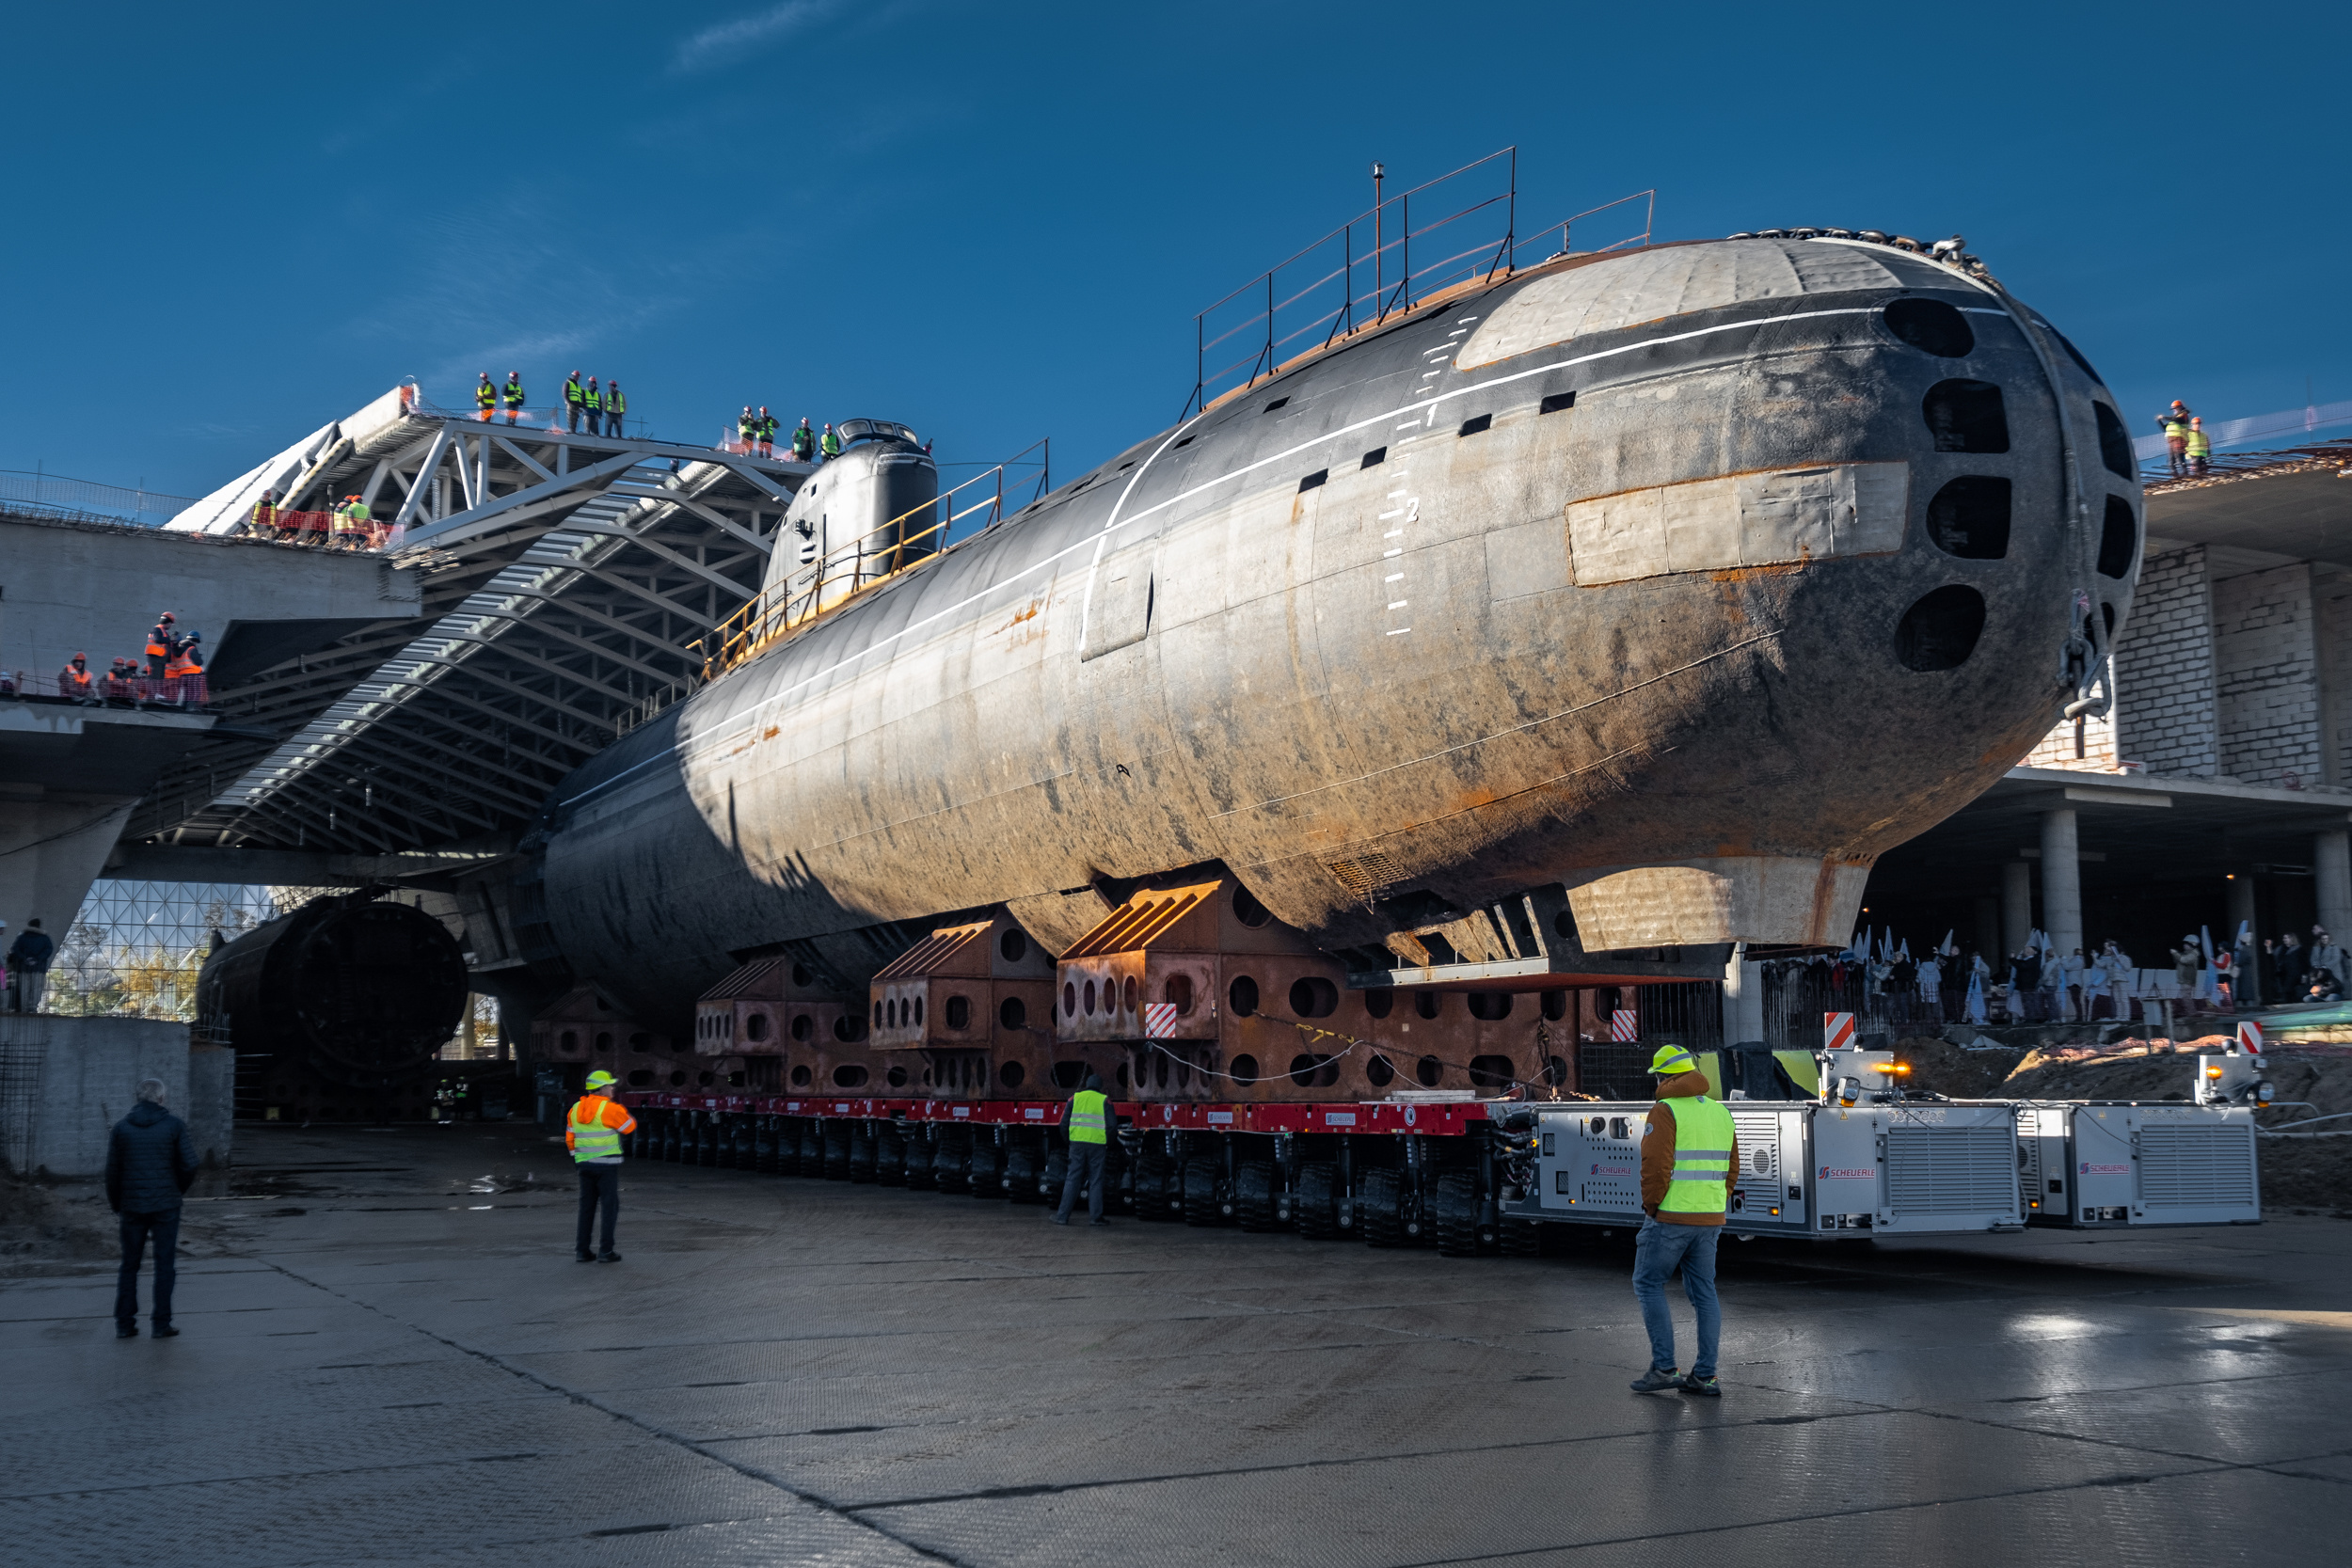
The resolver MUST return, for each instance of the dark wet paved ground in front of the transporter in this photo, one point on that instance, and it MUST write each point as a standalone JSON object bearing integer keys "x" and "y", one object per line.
{"x": 389, "y": 1355}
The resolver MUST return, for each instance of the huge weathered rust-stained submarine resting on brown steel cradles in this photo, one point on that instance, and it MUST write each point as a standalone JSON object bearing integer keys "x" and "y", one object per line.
{"x": 1688, "y": 579}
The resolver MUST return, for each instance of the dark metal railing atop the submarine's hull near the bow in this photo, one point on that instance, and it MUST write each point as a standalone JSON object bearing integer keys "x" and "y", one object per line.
{"x": 1379, "y": 267}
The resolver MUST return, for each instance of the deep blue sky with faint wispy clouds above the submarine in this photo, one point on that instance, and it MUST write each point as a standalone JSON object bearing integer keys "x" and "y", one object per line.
{"x": 996, "y": 222}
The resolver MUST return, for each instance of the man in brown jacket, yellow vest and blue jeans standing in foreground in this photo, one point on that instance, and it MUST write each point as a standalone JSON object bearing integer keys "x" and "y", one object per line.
{"x": 1690, "y": 1160}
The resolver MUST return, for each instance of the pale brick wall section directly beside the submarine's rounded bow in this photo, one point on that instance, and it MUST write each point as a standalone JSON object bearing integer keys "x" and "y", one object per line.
{"x": 2165, "y": 671}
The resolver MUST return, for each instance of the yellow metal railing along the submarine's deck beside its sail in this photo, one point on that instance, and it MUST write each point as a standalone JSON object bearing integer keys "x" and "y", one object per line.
{"x": 874, "y": 558}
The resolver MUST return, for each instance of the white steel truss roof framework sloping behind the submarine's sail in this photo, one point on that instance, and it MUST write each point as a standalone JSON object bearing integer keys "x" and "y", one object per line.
{"x": 568, "y": 587}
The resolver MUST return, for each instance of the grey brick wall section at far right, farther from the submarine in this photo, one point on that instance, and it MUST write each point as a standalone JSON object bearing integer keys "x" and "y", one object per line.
{"x": 2269, "y": 678}
